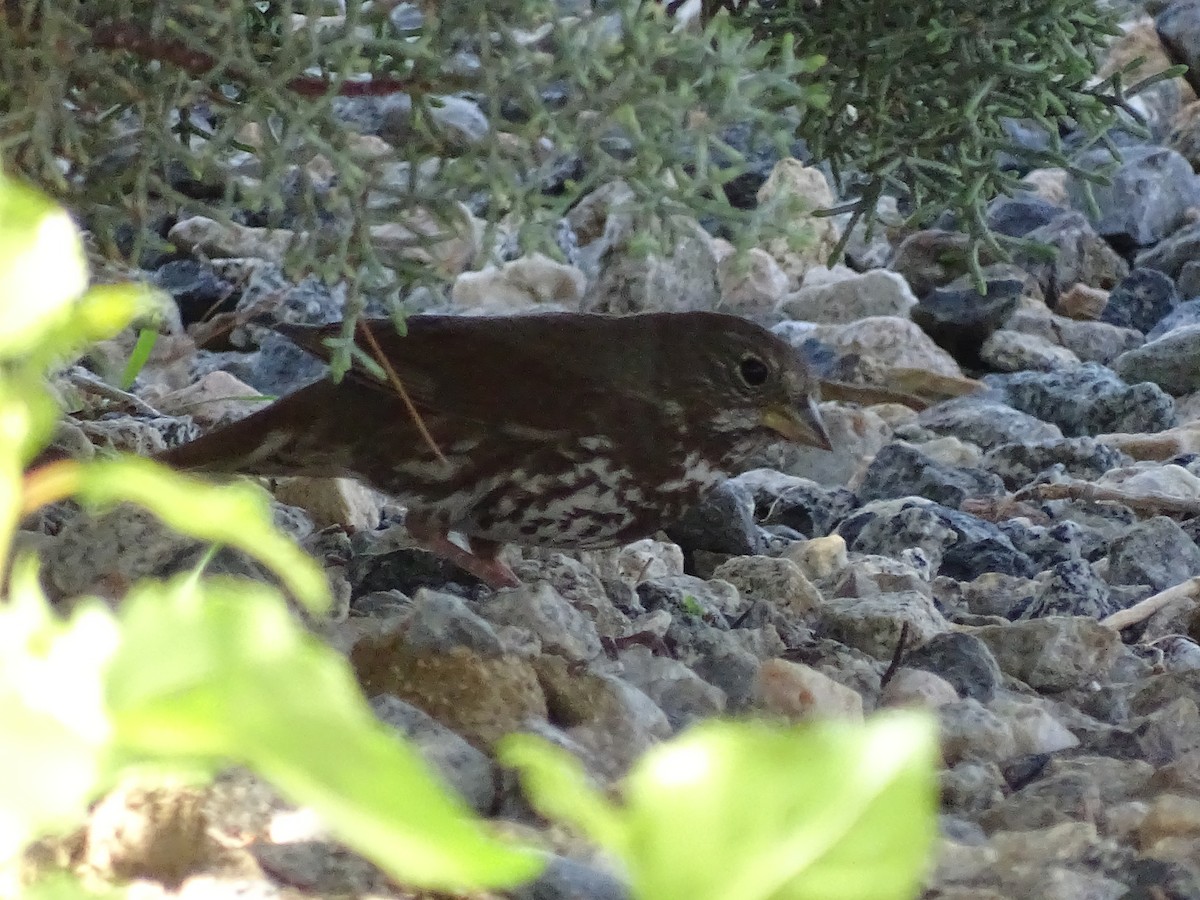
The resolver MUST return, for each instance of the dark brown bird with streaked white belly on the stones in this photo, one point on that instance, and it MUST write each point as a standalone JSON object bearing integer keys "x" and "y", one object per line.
{"x": 563, "y": 430}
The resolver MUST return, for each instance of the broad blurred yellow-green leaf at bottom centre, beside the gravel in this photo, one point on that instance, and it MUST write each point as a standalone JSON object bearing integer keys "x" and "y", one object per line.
{"x": 748, "y": 812}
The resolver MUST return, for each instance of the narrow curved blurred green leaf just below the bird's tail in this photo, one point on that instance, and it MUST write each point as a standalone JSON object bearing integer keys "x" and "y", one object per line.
{"x": 237, "y": 514}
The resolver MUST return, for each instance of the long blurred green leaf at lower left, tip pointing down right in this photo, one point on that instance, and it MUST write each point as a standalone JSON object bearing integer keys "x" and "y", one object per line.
{"x": 220, "y": 668}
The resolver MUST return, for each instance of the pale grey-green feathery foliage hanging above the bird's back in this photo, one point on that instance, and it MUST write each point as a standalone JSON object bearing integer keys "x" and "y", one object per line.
{"x": 137, "y": 112}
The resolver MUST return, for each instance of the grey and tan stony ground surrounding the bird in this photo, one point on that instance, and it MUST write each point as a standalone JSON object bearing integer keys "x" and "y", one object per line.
{"x": 1025, "y": 523}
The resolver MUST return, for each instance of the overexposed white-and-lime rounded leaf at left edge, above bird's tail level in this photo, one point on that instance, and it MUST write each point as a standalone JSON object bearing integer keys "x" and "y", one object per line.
{"x": 43, "y": 268}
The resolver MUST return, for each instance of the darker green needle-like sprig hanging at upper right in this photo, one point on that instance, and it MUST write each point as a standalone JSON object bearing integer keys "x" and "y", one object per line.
{"x": 925, "y": 97}
